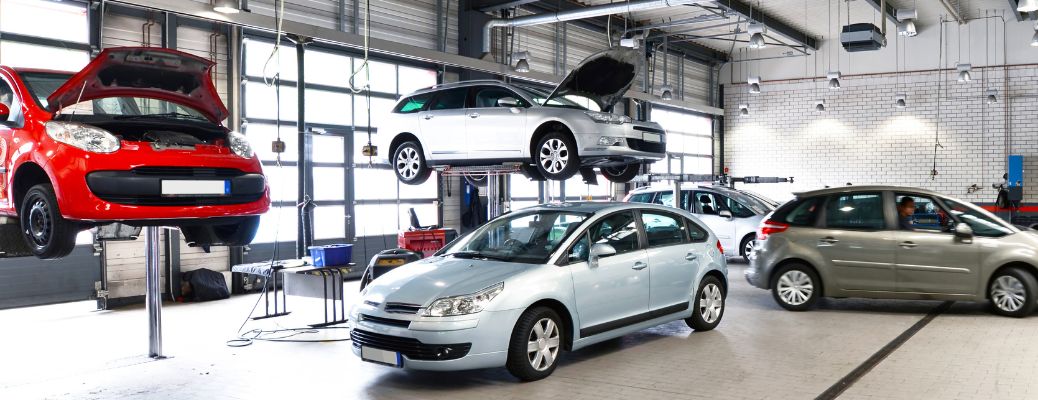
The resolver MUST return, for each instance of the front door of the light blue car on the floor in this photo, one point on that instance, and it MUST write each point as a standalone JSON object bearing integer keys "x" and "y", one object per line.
{"x": 615, "y": 287}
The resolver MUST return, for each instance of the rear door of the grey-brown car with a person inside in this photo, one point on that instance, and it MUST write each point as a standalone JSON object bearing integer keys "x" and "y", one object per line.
{"x": 857, "y": 244}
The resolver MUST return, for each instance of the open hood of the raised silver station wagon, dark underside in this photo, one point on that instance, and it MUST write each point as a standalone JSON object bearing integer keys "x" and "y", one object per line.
{"x": 604, "y": 77}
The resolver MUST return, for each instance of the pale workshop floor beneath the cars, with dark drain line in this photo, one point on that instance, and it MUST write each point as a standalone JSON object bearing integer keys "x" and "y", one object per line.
{"x": 759, "y": 352}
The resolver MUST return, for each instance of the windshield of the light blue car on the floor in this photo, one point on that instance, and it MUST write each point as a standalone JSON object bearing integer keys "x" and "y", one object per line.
{"x": 527, "y": 237}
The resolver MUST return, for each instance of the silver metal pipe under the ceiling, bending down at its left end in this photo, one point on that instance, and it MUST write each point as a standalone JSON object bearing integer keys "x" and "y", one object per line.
{"x": 597, "y": 11}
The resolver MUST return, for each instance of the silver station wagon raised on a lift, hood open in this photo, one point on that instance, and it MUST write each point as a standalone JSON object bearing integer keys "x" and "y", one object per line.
{"x": 552, "y": 135}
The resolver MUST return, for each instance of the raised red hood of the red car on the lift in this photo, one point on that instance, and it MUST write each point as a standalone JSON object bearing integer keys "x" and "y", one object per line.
{"x": 142, "y": 72}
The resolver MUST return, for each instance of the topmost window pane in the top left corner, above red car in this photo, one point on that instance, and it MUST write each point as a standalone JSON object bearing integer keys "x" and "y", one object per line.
{"x": 64, "y": 21}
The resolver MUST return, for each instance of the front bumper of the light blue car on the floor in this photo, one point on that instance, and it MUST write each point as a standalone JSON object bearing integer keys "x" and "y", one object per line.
{"x": 436, "y": 344}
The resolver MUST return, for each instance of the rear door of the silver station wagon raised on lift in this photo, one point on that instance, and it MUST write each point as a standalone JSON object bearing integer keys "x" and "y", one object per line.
{"x": 444, "y": 126}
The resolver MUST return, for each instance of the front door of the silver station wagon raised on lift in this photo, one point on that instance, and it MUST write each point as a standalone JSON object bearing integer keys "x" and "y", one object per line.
{"x": 496, "y": 132}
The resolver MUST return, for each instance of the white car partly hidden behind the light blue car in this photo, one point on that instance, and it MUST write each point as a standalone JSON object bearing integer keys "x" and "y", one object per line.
{"x": 733, "y": 216}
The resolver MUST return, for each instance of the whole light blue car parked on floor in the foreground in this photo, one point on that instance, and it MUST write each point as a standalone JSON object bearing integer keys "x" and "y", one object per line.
{"x": 531, "y": 284}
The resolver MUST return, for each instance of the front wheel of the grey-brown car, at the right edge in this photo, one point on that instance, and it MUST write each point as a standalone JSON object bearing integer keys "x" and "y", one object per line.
{"x": 1014, "y": 292}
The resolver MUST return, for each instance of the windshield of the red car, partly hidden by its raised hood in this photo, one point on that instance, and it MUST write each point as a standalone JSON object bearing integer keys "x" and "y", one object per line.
{"x": 43, "y": 86}
